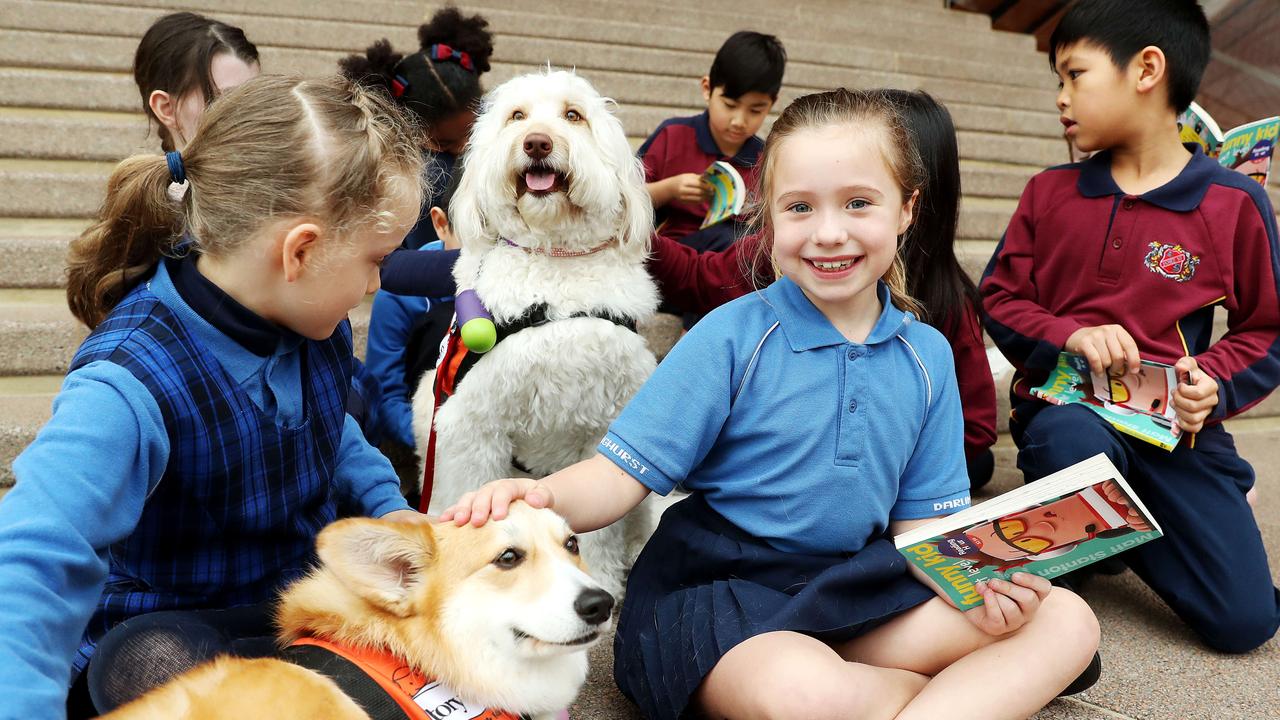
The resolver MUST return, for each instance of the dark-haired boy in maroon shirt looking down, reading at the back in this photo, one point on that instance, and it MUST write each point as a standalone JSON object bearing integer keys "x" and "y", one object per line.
{"x": 740, "y": 92}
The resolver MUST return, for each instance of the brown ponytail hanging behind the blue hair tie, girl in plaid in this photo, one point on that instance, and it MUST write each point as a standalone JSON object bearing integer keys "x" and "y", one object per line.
{"x": 136, "y": 225}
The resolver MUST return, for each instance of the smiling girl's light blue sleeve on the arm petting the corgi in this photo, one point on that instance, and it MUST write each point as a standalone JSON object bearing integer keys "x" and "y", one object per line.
{"x": 659, "y": 440}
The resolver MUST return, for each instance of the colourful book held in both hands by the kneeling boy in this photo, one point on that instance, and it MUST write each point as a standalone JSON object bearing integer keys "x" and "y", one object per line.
{"x": 1139, "y": 405}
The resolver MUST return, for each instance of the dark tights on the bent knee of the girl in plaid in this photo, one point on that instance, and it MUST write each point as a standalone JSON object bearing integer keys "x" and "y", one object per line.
{"x": 150, "y": 650}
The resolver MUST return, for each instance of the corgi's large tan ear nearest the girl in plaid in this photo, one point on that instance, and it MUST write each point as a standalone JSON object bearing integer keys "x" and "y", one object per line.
{"x": 380, "y": 560}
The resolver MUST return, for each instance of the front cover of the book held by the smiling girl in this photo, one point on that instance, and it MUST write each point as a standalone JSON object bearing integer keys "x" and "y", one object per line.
{"x": 1048, "y": 540}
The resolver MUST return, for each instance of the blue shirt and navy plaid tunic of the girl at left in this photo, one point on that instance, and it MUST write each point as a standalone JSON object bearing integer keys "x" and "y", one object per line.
{"x": 193, "y": 457}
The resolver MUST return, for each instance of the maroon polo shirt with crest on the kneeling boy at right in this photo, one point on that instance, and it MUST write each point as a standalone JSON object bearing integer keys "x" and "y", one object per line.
{"x": 1081, "y": 253}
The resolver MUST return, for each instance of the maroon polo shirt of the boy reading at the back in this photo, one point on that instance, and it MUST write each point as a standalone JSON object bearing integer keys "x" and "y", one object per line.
{"x": 685, "y": 145}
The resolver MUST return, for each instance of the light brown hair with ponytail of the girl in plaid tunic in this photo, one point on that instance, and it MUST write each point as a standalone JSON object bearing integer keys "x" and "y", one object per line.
{"x": 272, "y": 149}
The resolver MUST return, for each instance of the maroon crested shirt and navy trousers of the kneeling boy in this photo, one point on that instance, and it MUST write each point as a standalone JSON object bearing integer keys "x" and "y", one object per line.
{"x": 1080, "y": 253}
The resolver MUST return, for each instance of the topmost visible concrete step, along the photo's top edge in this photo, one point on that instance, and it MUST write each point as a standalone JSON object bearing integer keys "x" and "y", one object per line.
{"x": 804, "y": 29}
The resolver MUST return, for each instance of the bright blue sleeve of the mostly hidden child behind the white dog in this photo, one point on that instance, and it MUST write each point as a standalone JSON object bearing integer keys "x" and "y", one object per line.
{"x": 390, "y": 326}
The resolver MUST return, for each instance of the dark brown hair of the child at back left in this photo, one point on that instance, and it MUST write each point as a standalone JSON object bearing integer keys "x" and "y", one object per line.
{"x": 175, "y": 57}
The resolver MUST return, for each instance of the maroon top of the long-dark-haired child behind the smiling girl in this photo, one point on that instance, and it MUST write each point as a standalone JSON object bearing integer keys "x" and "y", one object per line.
{"x": 705, "y": 281}
